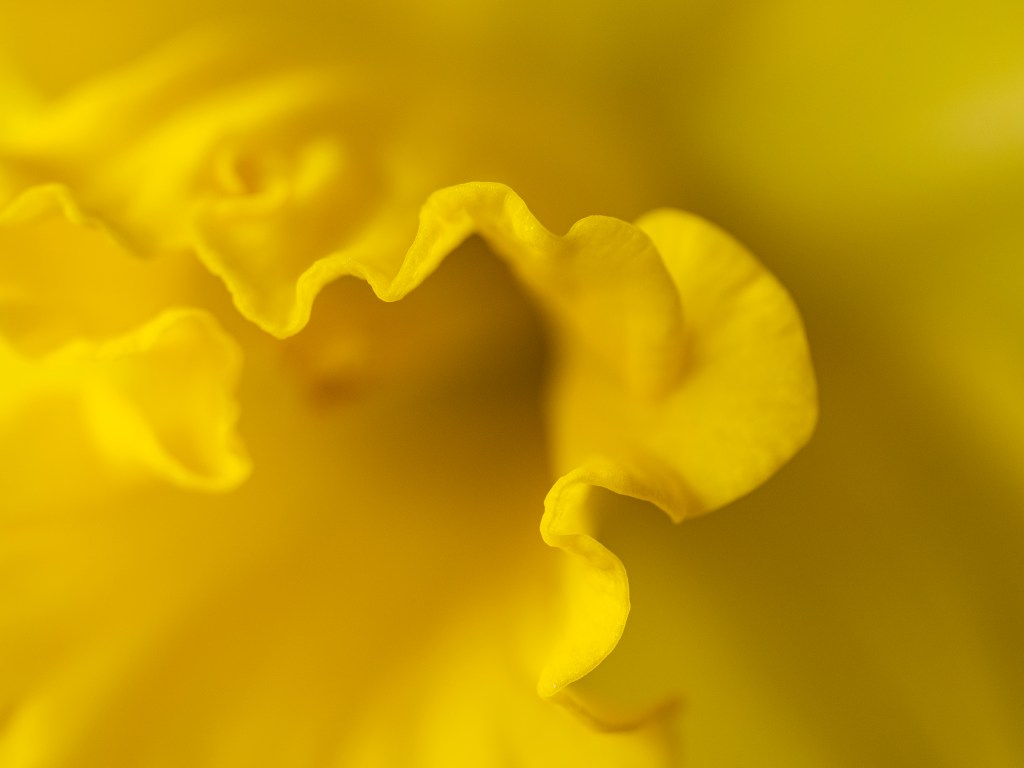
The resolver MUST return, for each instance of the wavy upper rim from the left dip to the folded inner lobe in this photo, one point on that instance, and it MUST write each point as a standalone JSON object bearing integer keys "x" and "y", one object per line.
{"x": 589, "y": 280}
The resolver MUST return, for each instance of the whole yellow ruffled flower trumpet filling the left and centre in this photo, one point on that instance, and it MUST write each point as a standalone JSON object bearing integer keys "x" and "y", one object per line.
{"x": 254, "y": 517}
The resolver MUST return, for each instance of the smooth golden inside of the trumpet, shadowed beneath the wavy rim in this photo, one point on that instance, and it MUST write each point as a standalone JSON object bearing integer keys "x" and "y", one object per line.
{"x": 270, "y": 618}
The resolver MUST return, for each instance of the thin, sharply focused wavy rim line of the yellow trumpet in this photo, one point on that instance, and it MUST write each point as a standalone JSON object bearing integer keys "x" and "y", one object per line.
{"x": 448, "y": 219}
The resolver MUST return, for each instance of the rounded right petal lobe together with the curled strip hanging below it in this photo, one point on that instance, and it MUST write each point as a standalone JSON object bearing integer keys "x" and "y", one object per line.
{"x": 744, "y": 403}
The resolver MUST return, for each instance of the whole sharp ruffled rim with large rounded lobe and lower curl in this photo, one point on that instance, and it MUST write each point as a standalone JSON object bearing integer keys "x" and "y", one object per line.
{"x": 682, "y": 373}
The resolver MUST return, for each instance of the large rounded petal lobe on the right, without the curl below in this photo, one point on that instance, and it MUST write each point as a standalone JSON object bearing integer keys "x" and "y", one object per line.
{"x": 744, "y": 404}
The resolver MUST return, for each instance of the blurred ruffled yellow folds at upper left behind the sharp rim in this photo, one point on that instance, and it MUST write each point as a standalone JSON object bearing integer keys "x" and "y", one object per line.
{"x": 262, "y": 168}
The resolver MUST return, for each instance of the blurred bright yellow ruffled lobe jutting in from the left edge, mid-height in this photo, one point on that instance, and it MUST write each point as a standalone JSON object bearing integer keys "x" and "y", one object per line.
{"x": 158, "y": 402}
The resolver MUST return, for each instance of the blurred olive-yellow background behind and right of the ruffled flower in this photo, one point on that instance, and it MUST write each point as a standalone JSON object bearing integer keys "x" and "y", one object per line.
{"x": 867, "y": 607}
